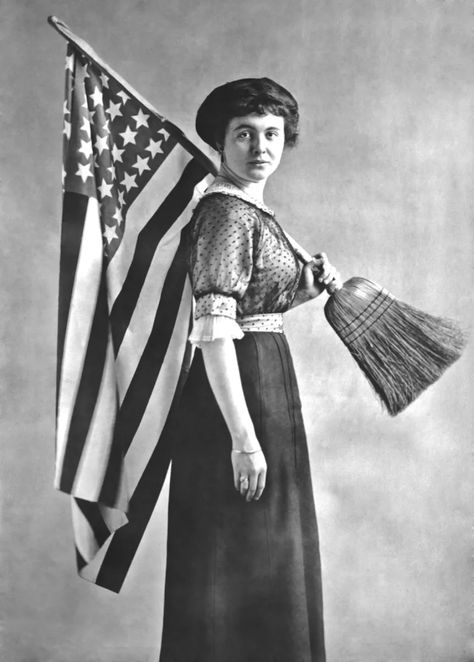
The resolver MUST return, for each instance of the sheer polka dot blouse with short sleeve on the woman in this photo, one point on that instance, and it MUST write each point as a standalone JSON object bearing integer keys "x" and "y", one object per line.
{"x": 240, "y": 261}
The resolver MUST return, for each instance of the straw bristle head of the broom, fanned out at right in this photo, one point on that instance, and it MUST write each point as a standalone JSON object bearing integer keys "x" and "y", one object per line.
{"x": 400, "y": 349}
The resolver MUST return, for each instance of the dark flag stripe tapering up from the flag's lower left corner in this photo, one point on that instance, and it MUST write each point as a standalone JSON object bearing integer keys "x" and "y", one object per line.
{"x": 88, "y": 390}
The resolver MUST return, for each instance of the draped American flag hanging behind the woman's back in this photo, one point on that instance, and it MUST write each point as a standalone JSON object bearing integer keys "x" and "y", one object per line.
{"x": 131, "y": 180}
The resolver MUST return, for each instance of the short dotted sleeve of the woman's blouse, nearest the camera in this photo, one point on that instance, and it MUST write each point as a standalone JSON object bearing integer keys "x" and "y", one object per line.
{"x": 222, "y": 255}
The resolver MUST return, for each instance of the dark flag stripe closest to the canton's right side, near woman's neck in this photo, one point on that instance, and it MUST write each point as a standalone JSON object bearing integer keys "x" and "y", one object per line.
{"x": 149, "y": 238}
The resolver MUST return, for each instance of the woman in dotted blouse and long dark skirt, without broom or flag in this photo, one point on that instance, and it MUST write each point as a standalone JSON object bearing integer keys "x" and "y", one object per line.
{"x": 243, "y": 580}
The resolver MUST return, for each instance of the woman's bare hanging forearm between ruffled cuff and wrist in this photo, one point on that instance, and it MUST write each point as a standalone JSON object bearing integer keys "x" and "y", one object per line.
{"x": 222, "y": 370}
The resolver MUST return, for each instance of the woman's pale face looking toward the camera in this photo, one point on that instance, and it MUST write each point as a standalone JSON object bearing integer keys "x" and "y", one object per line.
{"x": 253, "y": 145}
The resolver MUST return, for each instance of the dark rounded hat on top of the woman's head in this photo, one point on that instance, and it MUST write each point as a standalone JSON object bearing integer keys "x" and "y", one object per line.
{"x": 233, "y": 99}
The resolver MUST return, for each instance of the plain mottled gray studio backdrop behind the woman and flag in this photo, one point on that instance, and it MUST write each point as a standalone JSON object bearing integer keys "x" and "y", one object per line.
{"x": 382, "y": 180}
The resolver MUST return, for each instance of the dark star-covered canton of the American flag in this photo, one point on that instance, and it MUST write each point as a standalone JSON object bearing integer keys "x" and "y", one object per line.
{"x": 113, "y": 146}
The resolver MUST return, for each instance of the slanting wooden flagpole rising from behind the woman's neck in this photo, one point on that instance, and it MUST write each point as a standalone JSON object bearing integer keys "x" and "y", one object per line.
{"x": 88, "y": 52}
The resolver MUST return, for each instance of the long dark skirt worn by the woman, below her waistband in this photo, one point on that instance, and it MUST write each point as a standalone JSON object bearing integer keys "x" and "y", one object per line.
{"x": 243, "y": 580}
